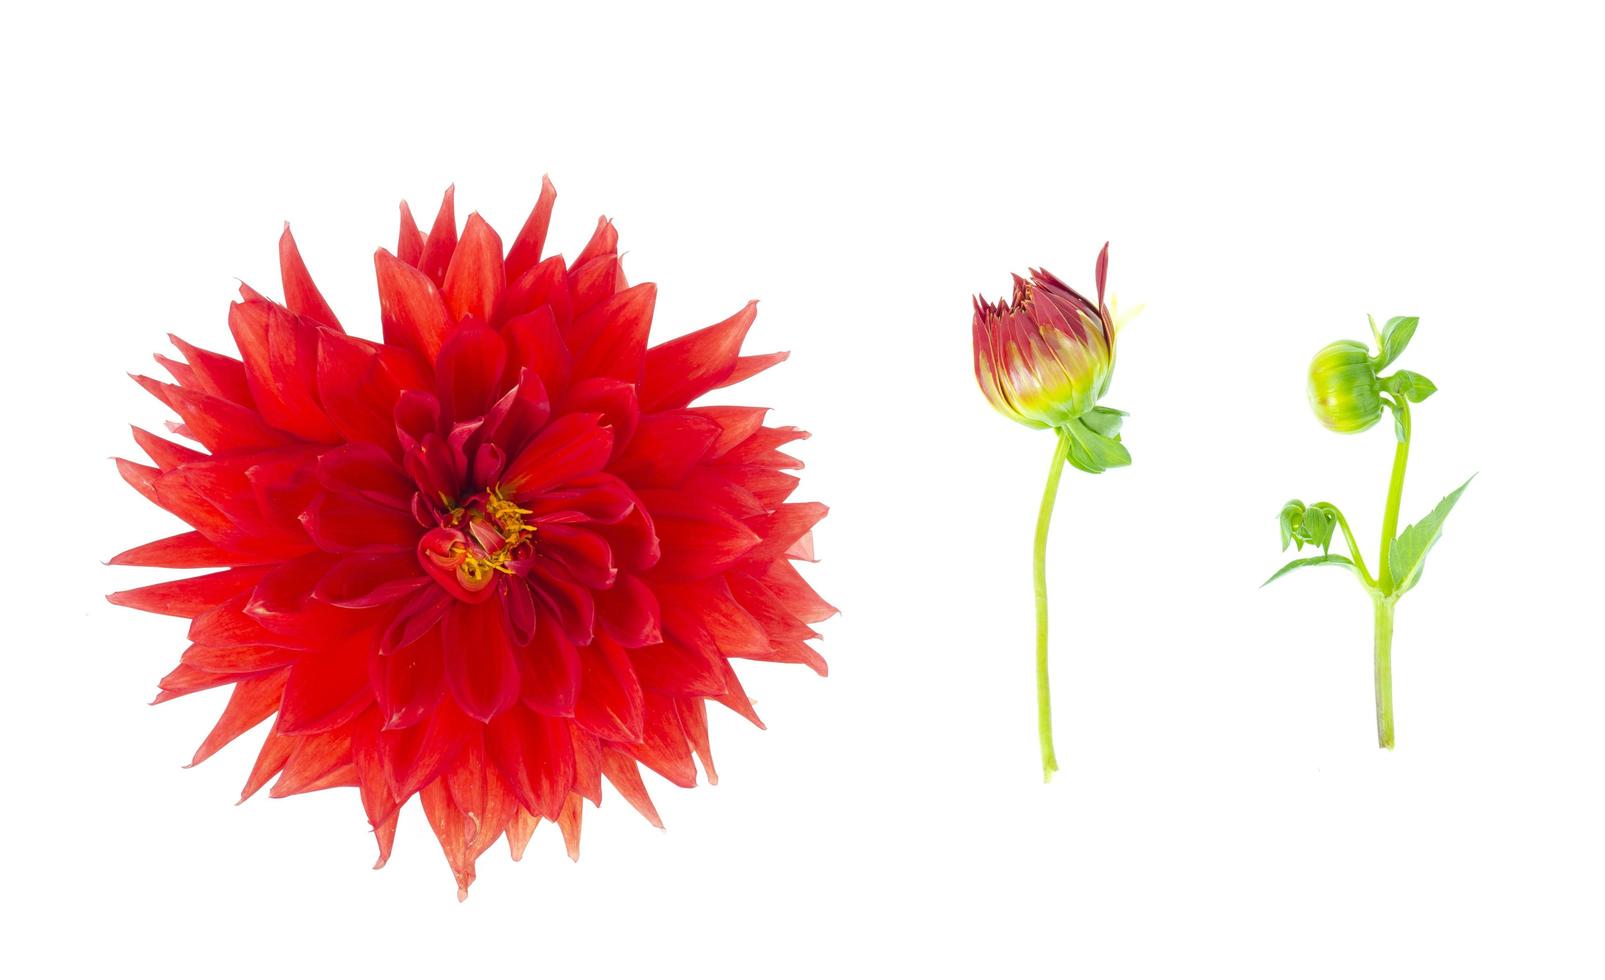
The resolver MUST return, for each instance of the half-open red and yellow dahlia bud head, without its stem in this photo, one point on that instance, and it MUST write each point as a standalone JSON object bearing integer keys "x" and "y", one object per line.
{"x": 1047, "y": 357}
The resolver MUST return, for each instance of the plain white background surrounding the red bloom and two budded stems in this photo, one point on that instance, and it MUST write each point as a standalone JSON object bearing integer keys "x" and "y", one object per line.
{"x": 1267, "y": 179}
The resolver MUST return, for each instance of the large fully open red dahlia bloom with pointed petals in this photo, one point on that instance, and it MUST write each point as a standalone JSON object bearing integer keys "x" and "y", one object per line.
{"x": 489, "y": 561}
